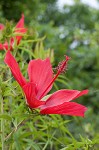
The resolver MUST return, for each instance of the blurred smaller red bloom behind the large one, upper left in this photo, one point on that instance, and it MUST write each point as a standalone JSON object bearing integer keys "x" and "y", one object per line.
{"x": 19, "y": 31}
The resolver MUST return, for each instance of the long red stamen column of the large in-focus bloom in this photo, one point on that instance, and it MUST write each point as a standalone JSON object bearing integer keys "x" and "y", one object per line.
{"x": 61, "y": 68}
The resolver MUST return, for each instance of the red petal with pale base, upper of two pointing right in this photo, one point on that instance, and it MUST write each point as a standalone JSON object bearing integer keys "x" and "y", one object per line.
{"x": 62, "y": 96}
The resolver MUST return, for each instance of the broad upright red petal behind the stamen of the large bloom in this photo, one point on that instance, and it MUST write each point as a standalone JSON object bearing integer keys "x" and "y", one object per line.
{"x": 40, "y": 73}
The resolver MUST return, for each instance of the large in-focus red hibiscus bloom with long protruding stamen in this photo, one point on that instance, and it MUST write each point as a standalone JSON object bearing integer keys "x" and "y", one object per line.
{"x": 40, "y": 82}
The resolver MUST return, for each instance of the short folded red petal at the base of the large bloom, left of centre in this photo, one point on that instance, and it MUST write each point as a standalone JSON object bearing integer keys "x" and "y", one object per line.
{"x": 29, "y": 90}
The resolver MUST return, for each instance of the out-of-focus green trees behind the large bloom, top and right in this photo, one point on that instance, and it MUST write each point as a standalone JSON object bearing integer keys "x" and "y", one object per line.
{"x": 74, "y": 31}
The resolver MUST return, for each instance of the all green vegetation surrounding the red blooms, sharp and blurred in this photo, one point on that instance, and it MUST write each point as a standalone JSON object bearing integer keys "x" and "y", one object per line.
{"x": 74, "y": 31}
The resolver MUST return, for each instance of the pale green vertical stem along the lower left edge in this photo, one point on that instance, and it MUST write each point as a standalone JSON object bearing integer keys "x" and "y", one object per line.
{"x": 2, "y": 121}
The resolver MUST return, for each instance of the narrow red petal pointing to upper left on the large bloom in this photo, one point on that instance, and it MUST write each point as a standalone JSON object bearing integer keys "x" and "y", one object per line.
{"x": 11, "y": 62}
